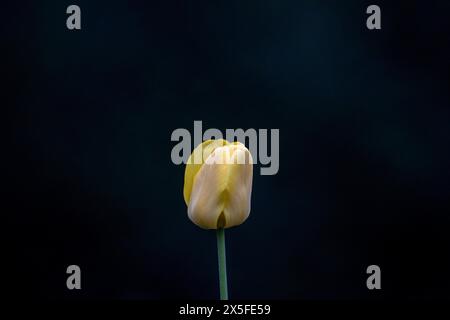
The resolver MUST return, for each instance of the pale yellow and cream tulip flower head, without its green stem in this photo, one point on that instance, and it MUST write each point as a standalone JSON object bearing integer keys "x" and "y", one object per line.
{"x": 218, "y": 184}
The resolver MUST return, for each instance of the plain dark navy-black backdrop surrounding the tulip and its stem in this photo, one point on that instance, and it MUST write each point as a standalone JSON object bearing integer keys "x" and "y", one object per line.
{"x": 364, "y": 123}
